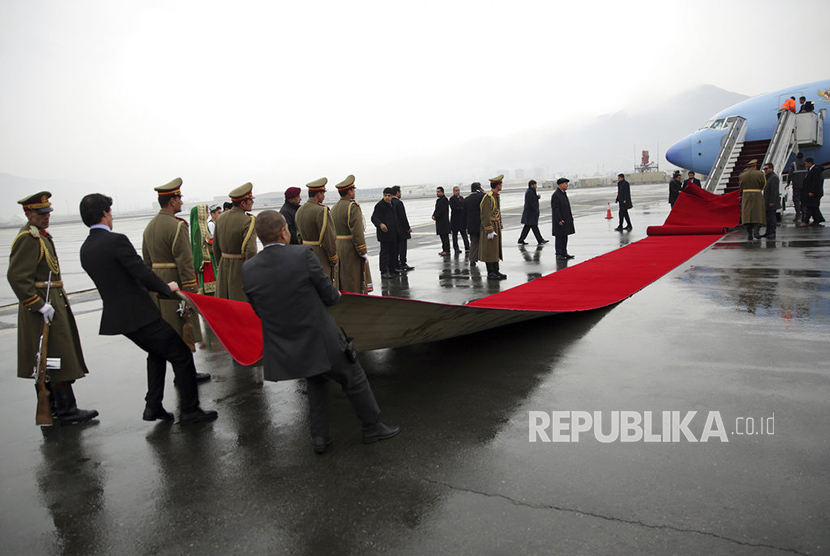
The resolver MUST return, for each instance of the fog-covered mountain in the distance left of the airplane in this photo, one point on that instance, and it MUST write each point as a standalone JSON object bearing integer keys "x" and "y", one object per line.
{"x": 607, "y": 144}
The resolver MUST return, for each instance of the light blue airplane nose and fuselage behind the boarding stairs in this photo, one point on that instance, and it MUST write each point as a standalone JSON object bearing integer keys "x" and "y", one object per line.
{"x": 699, "y": 150}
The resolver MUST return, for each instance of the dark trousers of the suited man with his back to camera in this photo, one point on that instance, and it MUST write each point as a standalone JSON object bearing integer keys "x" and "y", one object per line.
{"x": 353, "y": 381}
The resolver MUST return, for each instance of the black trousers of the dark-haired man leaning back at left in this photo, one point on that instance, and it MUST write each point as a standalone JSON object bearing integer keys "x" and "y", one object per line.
{"x": 163, "y": 344}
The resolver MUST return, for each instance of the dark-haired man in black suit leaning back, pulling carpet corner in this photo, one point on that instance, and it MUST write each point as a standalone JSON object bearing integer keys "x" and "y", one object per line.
{"x": 124, "y": 283}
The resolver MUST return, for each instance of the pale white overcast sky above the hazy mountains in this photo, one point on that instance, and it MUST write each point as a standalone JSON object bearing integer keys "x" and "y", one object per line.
{"x": 130, "y": 94}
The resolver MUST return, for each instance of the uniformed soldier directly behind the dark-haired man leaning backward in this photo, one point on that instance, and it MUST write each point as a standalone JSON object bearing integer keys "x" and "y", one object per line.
{"x": 168, "y": 253}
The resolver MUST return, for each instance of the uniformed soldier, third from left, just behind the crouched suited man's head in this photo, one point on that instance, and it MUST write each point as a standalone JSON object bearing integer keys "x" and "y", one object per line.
{"x": 234, "y": 243}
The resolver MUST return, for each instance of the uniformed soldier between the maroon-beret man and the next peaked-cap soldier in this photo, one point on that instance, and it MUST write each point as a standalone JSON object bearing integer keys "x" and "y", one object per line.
{"x": 315, "y": 227}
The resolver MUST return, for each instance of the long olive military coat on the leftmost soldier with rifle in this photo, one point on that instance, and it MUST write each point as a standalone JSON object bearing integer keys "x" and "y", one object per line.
{"x": 32, "y": 256}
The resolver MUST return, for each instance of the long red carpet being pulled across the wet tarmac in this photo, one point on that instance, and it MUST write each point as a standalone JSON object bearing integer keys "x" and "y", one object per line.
{"x": 697, "y": 220}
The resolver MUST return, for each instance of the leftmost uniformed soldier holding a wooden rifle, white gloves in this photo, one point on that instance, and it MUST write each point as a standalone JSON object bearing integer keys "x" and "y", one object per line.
{"x": 34, "y": 270}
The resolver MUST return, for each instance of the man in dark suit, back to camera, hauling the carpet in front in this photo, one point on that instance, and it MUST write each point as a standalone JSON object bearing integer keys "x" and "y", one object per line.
{"x": 288, "y": 289}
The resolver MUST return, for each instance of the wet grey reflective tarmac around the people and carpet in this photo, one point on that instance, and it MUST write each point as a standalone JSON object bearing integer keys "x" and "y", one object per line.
{"x": 741, "y": 329}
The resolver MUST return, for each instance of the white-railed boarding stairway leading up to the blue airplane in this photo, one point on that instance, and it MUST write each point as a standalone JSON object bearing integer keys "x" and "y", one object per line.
{"x": 793, "y": 131}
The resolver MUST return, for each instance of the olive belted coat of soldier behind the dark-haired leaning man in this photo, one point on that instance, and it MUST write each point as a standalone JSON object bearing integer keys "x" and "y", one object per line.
{"x": 167, "y": 251}
